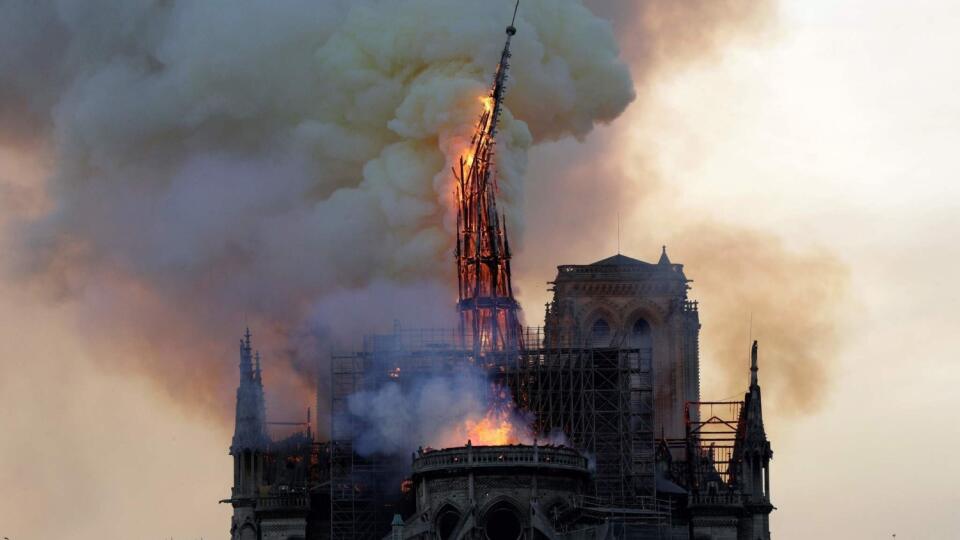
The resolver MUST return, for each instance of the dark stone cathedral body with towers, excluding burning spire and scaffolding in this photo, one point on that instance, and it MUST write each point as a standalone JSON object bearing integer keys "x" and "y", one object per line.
{"x": 616, "y": 368}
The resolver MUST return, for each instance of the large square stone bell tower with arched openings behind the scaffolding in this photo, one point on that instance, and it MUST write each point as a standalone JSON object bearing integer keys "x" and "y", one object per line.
{"x": 623, "y": 302}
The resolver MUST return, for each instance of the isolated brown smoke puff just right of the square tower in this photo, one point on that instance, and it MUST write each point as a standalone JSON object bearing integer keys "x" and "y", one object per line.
{"x": 752, "y": 285}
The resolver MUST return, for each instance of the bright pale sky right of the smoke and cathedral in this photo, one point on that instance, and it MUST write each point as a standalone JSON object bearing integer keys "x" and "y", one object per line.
{"x": 839, "y": 129}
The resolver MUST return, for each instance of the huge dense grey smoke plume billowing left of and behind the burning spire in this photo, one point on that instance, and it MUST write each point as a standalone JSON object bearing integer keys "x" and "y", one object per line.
{"x": 282, "y": 165}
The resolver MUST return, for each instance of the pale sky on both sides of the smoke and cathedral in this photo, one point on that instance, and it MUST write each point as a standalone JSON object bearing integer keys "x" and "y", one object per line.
{"x": 835, "y": 130}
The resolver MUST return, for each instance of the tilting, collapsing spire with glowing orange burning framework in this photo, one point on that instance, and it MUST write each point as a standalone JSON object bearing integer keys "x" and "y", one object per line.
{"x": 489, "y": 315}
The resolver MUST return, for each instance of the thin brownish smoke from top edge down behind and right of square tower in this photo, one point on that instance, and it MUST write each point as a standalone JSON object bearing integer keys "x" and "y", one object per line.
{"x": 795, "y": 294}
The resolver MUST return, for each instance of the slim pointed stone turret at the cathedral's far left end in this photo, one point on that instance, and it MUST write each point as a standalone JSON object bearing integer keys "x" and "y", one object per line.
{"x": 250, "y": 441}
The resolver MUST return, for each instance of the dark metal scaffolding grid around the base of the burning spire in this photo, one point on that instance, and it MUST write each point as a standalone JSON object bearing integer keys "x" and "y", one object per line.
{"x": 599, "y": 398}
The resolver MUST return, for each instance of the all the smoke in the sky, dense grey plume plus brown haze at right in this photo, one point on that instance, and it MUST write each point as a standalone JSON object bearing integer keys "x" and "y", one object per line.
{"x": 284, "y": 165}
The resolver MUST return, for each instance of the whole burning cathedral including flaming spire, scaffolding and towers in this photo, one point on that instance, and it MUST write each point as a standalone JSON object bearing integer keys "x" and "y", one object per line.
{"x": 594, "y": 428}
